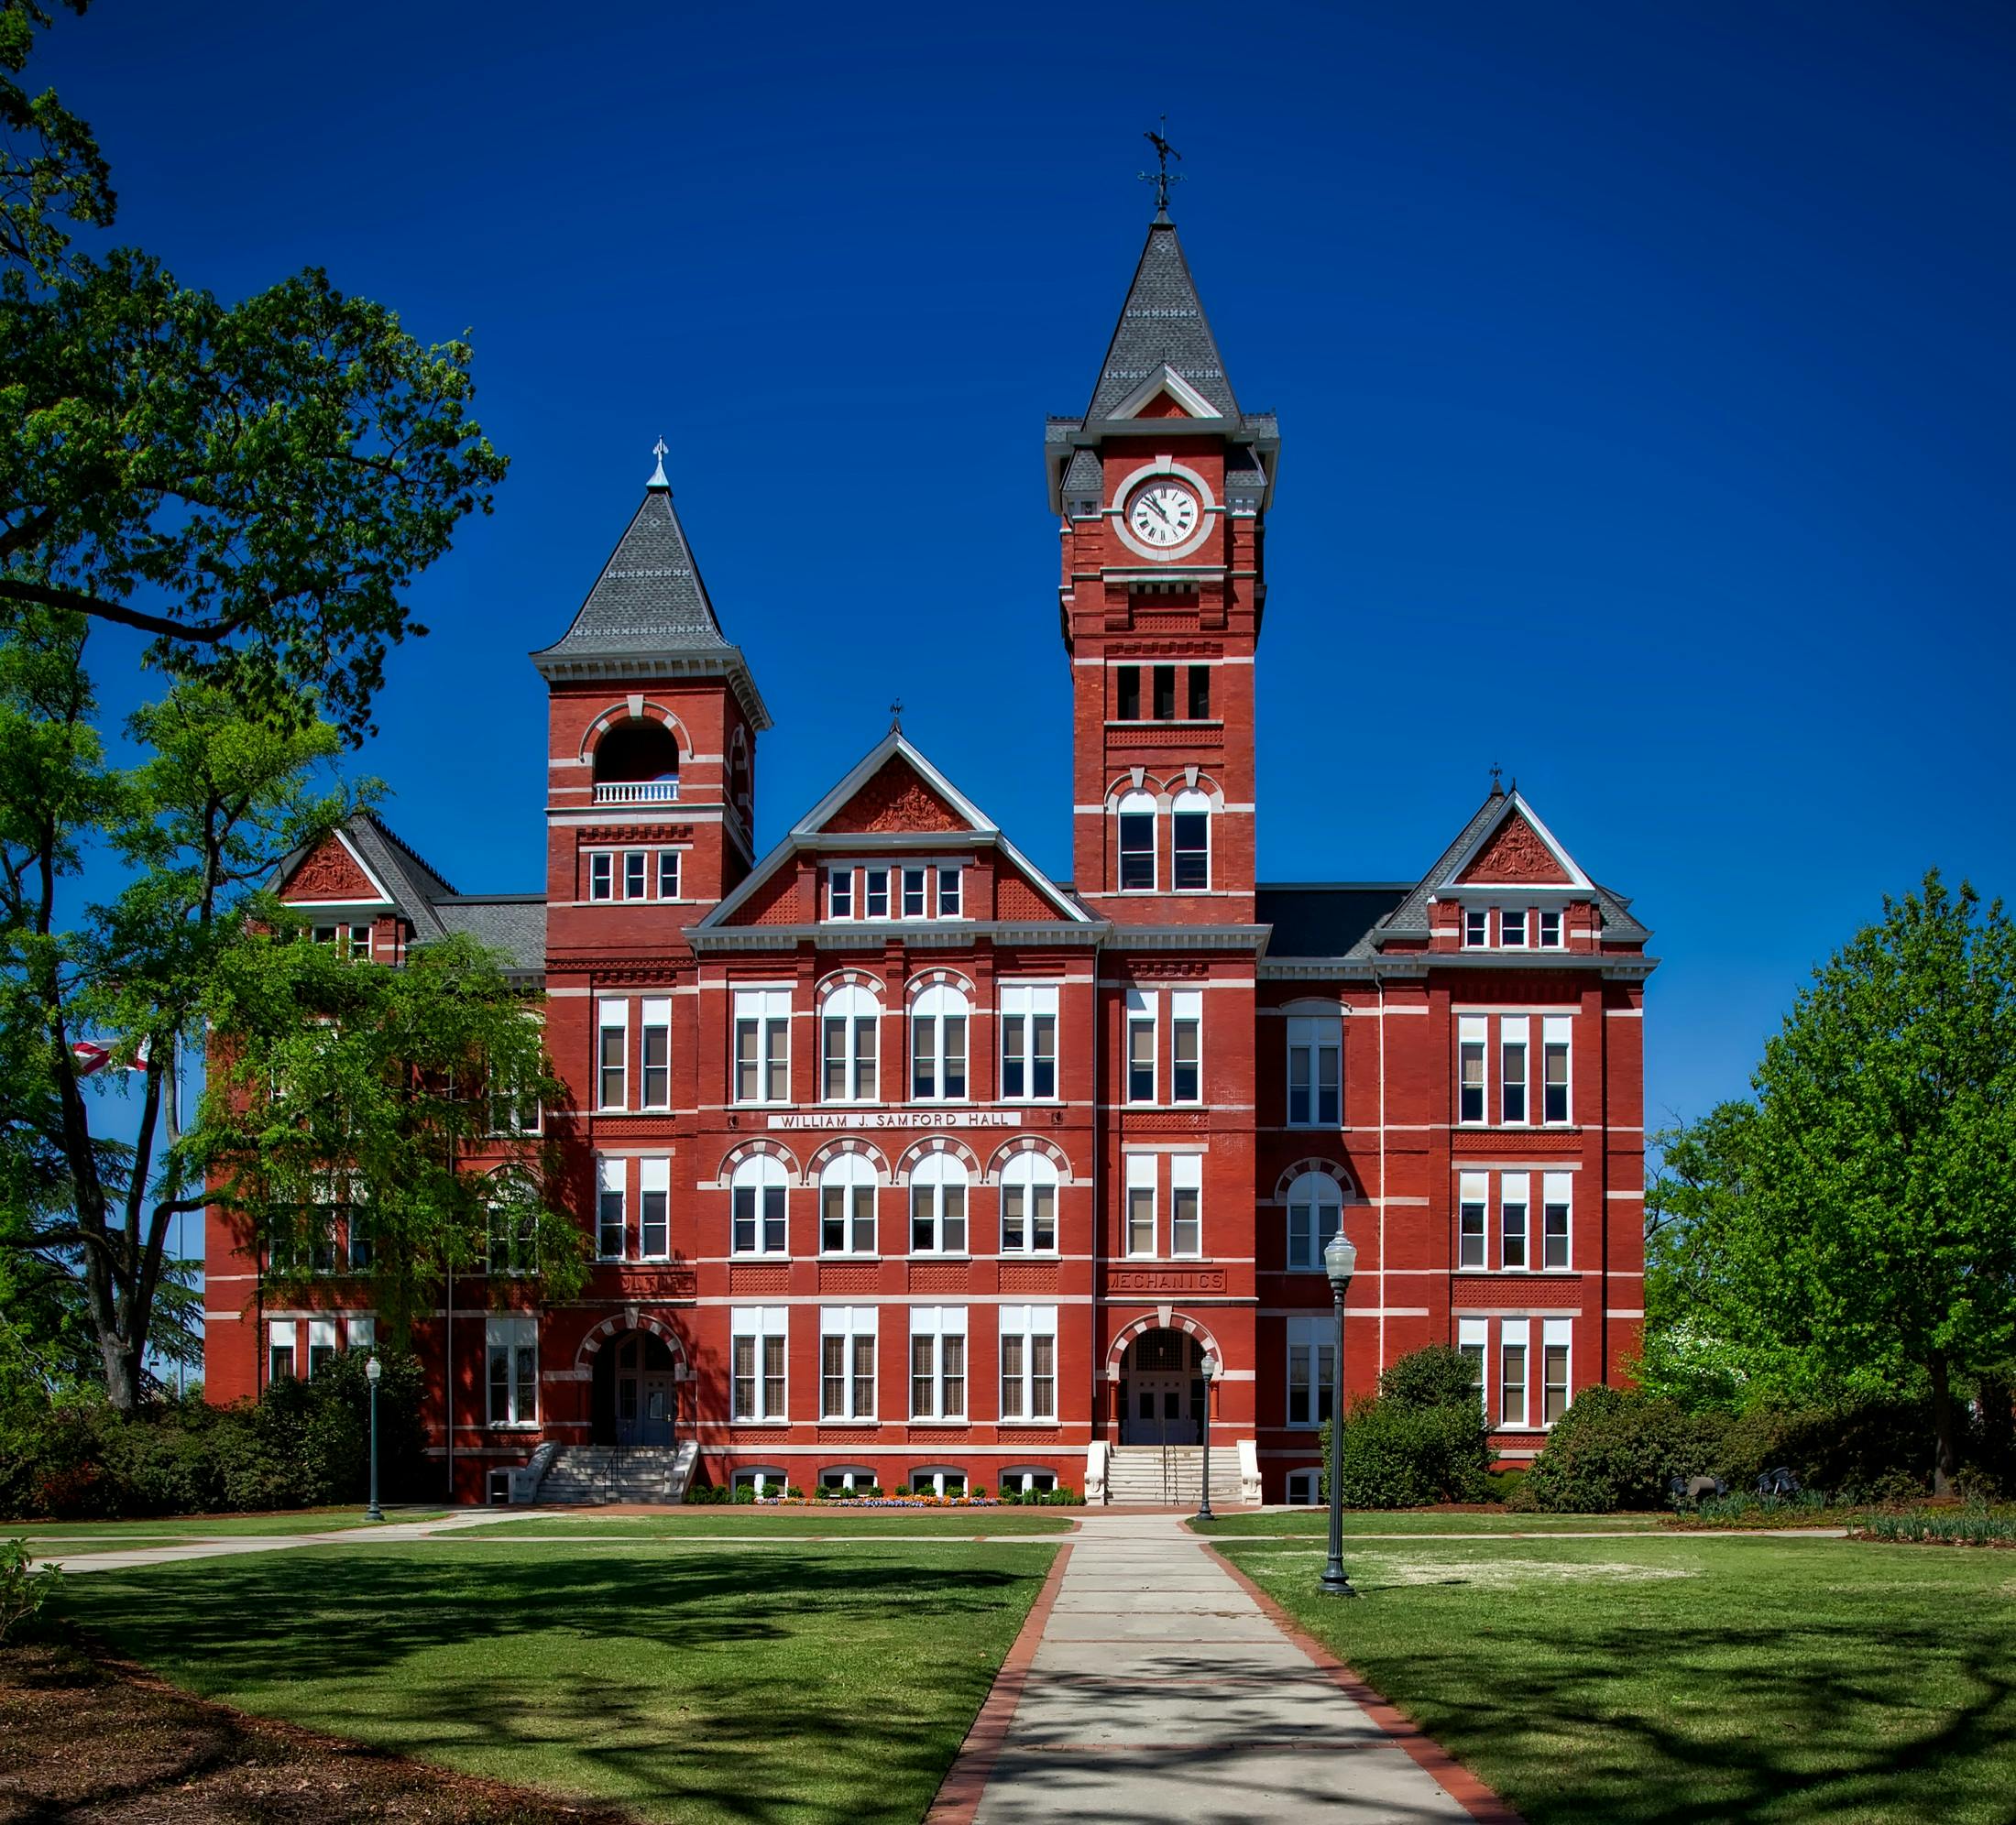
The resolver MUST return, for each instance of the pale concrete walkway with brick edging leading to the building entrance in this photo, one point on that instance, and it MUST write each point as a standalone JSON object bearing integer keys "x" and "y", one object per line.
{"x": 1162, "y": 1691}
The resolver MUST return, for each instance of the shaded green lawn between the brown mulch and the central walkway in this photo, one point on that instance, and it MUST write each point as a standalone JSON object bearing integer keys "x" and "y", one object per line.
{"x": 797, "y": 1685}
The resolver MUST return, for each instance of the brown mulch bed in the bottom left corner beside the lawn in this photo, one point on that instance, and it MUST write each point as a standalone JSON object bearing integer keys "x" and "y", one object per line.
{"x": 94, "y": 1741}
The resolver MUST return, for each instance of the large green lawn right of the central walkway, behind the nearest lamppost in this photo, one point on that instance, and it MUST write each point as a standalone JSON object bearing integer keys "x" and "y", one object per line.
{"x": 1686, "y": 1677}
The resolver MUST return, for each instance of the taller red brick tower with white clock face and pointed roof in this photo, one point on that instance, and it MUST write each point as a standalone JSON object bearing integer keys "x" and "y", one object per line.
{"x": 1162, "y": 489}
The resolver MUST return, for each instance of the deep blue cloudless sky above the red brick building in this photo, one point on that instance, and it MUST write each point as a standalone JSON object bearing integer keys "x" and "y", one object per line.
{"x": 1644, "y": 380}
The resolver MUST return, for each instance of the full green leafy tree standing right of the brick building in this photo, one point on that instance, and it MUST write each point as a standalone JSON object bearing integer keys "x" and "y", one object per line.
{"x": 1862, "y": 1221}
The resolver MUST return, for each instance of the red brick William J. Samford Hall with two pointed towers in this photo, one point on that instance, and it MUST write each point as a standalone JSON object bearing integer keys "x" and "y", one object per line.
{"x": 906, "y": 1163}
